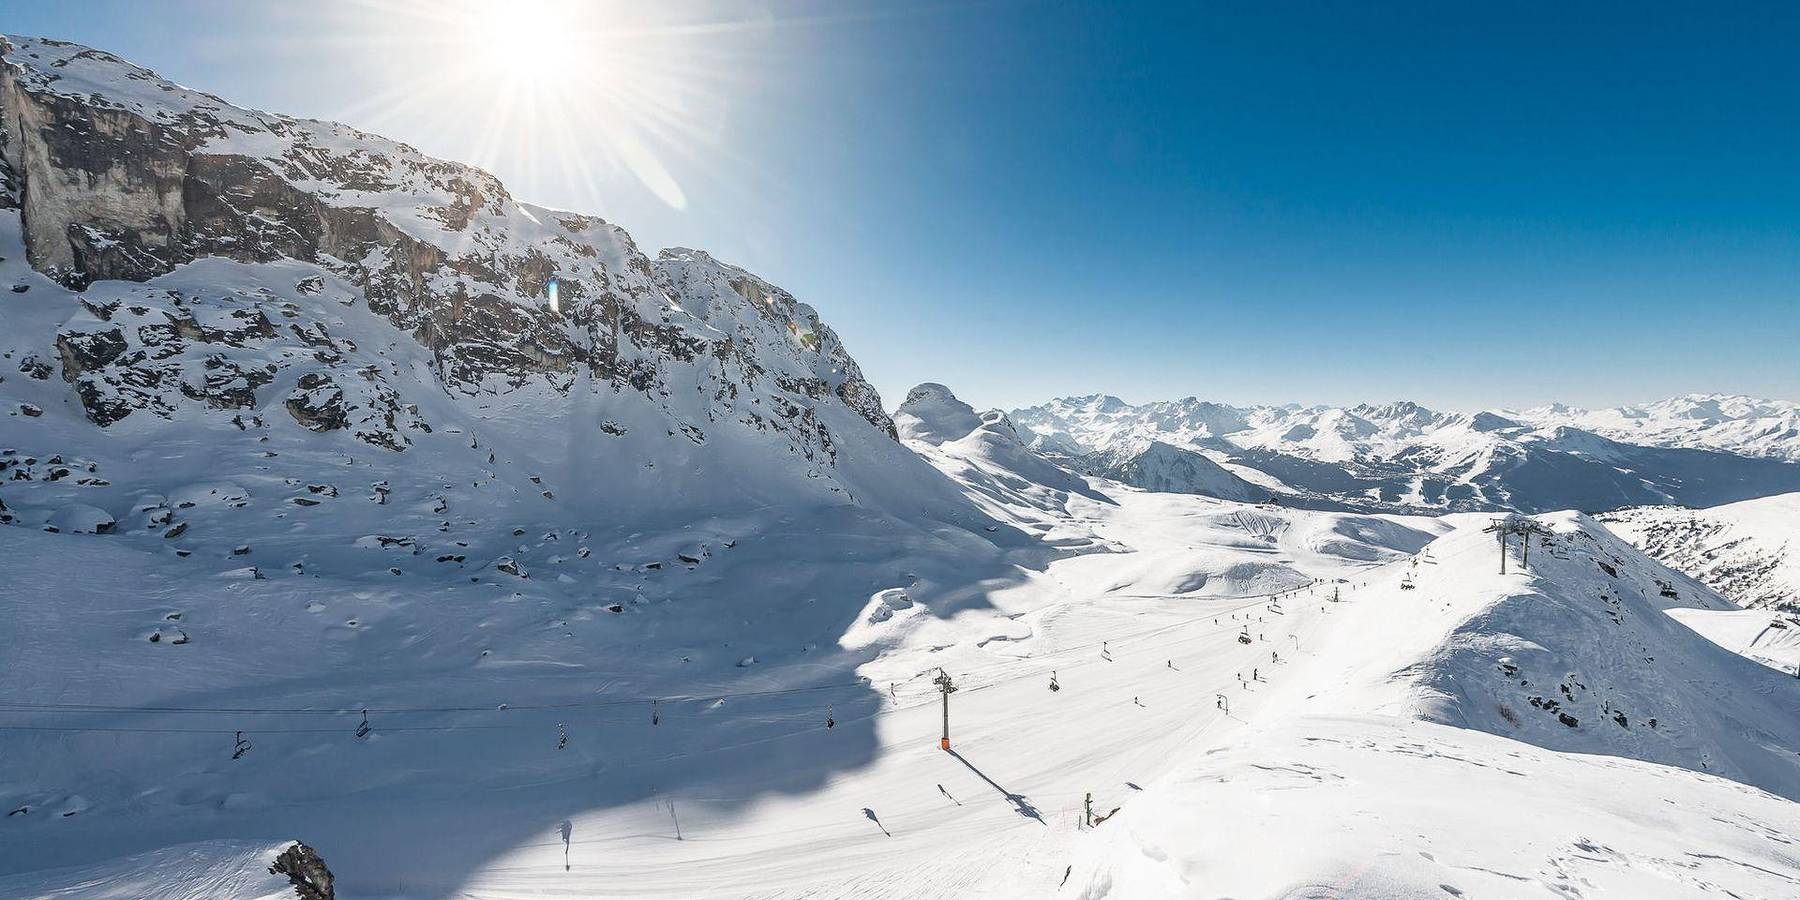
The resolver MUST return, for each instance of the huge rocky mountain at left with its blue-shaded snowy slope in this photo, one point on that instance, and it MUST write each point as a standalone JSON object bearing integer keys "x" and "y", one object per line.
{"x": 300, "y": 422}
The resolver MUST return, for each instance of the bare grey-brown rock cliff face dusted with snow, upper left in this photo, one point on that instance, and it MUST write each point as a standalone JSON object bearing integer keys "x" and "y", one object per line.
{"x": 121, "y": 177}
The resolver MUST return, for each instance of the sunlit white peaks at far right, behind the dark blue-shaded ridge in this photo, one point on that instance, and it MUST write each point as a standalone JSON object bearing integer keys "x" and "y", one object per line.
{"x": 1711, "y": 422}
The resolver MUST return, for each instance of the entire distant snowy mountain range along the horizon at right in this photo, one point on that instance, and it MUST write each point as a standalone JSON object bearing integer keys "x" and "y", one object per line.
{"x": 1691, "y": 451}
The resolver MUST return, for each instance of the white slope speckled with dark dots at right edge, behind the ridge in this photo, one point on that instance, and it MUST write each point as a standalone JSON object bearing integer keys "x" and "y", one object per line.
{"x": 1749, "y": 552}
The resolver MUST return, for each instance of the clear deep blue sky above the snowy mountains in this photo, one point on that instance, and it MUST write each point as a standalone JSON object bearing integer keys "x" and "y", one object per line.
{"x": 1459, "y": 204}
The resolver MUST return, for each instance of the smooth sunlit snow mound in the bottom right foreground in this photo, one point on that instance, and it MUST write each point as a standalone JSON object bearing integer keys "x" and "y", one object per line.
{"x": 1367, "y": 809}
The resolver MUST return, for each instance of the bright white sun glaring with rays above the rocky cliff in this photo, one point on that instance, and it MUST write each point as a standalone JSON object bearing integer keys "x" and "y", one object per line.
{"x": 562, "y": 93}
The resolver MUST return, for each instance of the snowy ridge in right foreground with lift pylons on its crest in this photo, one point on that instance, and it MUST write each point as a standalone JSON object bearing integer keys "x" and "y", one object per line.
{"x": 1407, "y": 751}
